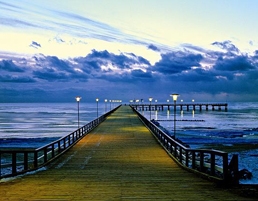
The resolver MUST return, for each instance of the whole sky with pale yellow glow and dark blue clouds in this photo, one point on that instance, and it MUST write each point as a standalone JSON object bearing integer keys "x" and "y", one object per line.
{"x": 52, "y": 50}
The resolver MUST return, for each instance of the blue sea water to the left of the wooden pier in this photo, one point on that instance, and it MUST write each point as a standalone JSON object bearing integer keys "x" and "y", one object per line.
{"x": 34, "y": 125}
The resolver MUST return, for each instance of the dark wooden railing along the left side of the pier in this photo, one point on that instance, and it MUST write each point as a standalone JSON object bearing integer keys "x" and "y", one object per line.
{"x": 19, "y": 160}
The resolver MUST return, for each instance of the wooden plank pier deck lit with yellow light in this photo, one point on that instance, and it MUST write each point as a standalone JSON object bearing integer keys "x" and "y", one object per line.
{"x": 118, "y": 160}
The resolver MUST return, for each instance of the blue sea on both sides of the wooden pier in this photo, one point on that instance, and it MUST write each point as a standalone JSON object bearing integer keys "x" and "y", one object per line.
{"x": 32, "y": 125}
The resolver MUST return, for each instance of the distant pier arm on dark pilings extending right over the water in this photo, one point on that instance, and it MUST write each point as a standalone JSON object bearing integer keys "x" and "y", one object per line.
{"x": 182, "y": 106}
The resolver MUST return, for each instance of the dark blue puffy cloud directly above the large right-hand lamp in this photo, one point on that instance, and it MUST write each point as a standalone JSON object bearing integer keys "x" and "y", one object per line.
{"x": 176, "y": 62}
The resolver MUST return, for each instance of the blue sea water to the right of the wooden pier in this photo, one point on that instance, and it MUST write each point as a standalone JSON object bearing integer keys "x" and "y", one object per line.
{"x": 202, "y": 129}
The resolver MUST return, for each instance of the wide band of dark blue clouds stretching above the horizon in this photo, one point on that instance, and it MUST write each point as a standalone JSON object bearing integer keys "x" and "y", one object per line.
{"x": 191, "y": 70}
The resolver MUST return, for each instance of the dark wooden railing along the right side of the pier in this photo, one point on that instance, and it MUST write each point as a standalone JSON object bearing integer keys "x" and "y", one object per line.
{"x": 212, "y": 164}
